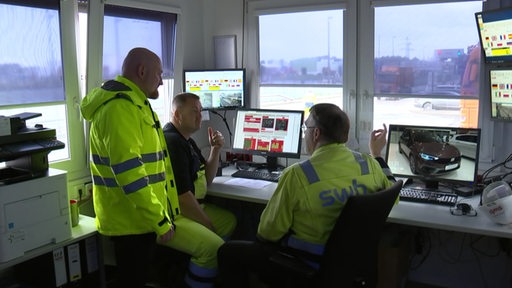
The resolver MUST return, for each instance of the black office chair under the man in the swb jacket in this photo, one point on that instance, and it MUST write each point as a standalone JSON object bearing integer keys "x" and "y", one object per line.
{"x": 351, "y": 252}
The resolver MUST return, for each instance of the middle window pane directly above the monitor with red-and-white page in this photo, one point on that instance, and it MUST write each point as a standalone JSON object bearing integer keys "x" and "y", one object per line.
{"x": 301, "y": 63}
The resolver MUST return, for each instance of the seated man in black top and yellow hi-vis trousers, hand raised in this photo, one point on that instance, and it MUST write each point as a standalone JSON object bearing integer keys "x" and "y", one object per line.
{"x": 204, "y": 226}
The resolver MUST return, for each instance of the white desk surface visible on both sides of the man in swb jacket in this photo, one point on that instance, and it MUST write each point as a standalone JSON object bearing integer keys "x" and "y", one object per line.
{"x": 407, "y": 213}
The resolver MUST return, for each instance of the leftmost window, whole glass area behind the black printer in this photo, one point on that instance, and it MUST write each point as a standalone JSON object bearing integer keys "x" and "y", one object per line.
{"x": 32, "y": 67}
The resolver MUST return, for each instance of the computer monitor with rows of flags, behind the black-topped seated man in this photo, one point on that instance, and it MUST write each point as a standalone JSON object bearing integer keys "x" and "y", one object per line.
{"x": 217, "y": 88}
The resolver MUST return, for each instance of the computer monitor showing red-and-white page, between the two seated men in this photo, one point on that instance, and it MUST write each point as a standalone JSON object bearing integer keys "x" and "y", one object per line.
{"x": 268, "y": 133}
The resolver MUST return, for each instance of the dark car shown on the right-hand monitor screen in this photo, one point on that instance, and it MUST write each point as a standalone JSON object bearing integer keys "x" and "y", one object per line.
{"x": 427, "y": 151}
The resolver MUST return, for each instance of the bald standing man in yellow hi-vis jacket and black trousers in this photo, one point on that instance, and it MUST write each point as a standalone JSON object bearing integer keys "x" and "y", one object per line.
{"x": 134, "y": 197}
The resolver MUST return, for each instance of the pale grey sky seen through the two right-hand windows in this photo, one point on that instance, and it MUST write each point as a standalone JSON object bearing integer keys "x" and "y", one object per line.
{"x": 425, "y": 27}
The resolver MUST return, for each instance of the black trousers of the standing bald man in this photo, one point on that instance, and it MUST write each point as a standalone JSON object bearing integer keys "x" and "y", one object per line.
{"x": 134, "y": 256}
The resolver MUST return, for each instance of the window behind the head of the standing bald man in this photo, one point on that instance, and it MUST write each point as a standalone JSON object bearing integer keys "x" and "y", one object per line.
{"x": 126, "y": 28}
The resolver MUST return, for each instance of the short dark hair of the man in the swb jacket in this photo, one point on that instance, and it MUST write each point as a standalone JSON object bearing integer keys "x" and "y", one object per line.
{"x": 332, "y": 122}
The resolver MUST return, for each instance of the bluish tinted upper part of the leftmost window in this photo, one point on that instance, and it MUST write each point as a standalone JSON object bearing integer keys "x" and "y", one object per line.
{"x": 32, "y": 64}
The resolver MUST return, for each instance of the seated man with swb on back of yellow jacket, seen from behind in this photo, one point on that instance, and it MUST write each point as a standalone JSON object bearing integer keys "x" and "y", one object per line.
{"x": 309, "y": 197}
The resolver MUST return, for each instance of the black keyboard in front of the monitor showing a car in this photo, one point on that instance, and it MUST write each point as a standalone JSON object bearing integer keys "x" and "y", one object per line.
{"x": 428, "y": 196}
